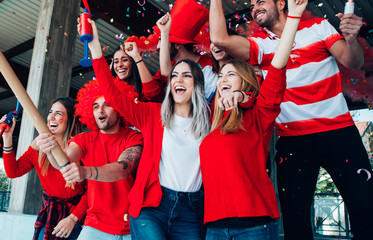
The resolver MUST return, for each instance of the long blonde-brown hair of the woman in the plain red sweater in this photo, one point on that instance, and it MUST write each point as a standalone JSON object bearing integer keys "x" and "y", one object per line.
{"x": 233, "y": 122}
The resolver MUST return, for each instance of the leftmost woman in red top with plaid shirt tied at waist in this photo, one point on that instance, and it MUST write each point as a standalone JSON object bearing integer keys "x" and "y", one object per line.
{"x": 58, "y": 216}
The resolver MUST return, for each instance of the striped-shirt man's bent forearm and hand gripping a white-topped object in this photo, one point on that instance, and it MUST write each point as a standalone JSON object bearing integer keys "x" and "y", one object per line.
{"x": 349, "y": 51}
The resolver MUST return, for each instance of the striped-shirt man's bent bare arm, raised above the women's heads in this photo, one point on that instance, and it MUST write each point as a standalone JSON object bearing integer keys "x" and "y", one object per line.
{"x": 219, "y": 35}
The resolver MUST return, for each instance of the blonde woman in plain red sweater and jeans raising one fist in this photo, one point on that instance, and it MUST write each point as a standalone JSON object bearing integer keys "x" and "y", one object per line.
{"x": 240, "y": 201}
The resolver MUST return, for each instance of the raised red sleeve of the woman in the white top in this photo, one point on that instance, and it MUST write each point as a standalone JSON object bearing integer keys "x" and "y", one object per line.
{"x": 133, "y": 111}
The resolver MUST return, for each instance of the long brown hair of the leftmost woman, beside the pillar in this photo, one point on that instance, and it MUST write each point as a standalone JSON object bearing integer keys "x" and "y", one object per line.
{"x": 73, "y": 128}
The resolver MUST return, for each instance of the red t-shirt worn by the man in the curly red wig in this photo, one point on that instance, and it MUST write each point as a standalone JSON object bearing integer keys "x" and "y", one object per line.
{"x": 107, "y": 202}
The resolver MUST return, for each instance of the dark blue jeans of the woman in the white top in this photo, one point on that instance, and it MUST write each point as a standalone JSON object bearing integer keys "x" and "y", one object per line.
{"x": 178, "y": 216}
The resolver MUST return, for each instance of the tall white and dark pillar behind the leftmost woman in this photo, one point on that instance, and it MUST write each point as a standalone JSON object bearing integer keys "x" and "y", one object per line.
{"x": 49, "y": 78}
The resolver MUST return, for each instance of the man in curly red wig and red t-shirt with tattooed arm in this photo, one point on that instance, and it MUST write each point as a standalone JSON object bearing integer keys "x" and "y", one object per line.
{"x": 110, "y": 154}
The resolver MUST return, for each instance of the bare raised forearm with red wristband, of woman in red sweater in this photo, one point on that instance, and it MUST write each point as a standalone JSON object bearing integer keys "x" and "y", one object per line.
{"x": 296, "y": 9}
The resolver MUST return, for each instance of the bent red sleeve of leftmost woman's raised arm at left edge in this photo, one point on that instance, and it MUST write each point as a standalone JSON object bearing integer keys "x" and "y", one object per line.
{"x": 16, "y": 168}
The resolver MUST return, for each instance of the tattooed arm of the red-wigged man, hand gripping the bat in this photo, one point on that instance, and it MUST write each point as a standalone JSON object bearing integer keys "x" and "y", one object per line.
{"x": 111, "y": 172}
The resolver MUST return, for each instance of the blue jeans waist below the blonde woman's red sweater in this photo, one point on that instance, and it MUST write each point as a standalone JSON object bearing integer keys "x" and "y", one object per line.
{"x": 262, "y": 232}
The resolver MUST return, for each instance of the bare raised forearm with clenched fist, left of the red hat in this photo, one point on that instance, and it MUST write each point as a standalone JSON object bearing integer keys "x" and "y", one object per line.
{"x": 164, "y": 25}
